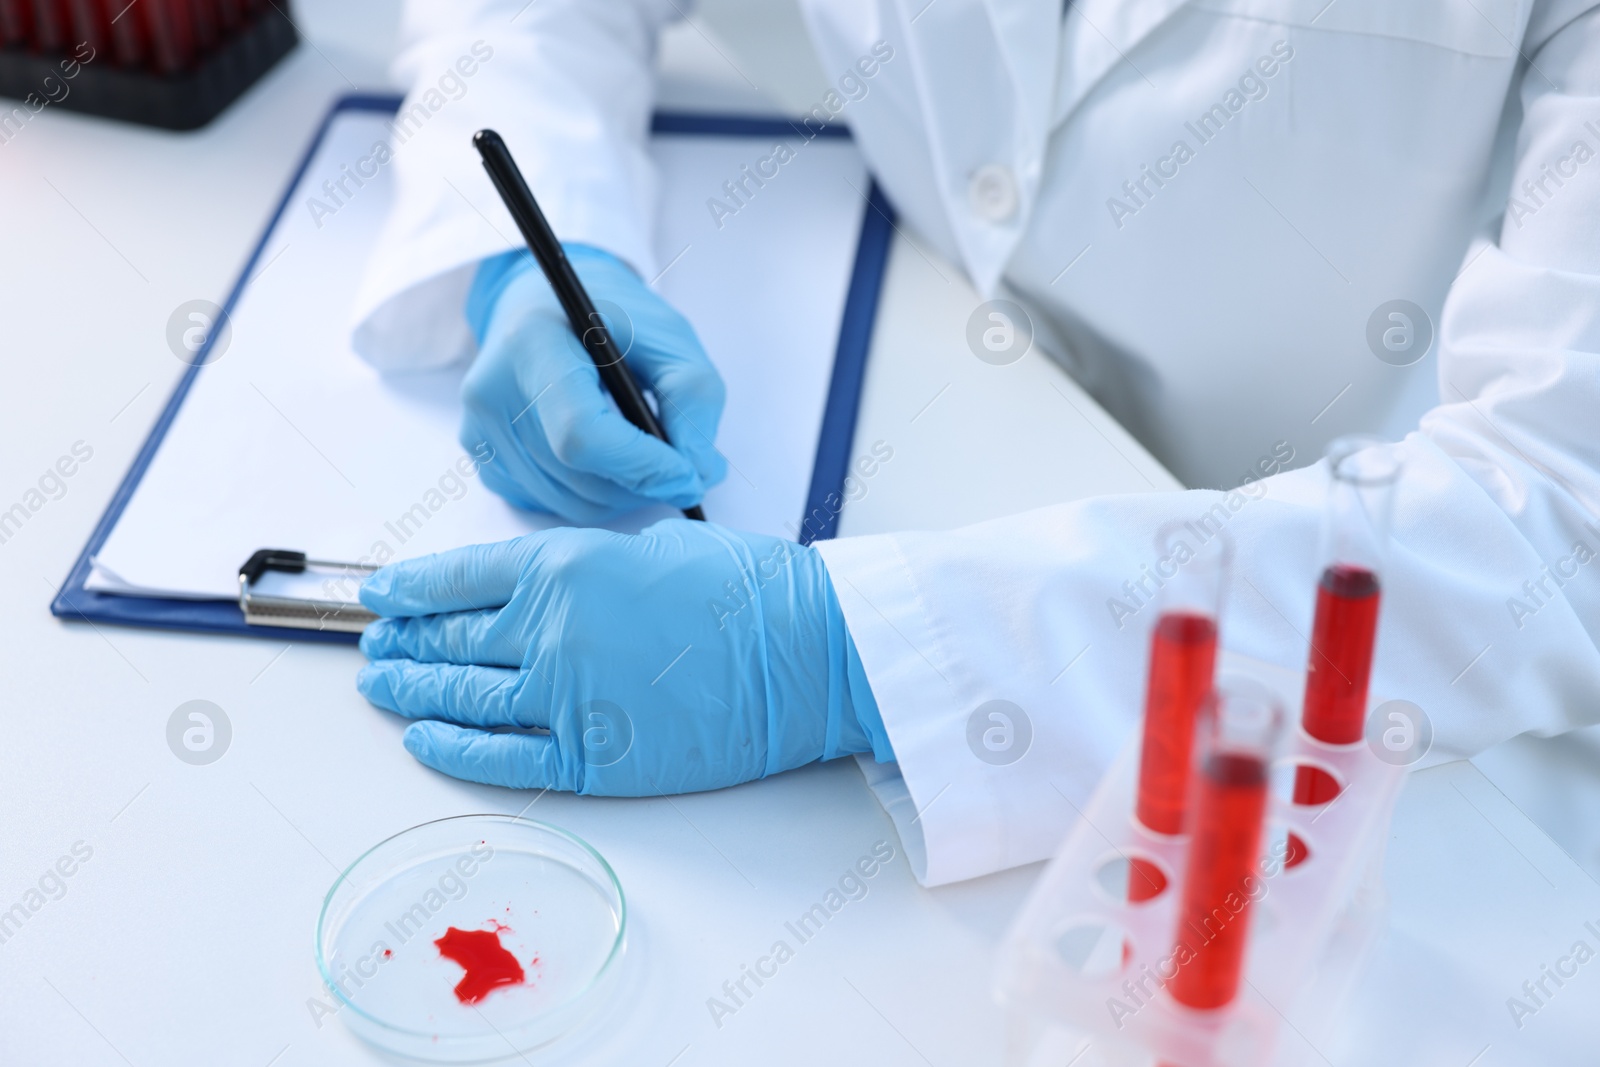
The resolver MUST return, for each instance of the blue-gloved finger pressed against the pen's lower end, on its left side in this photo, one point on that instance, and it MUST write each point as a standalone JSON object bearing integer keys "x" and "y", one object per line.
{"x": 591, "y": 436}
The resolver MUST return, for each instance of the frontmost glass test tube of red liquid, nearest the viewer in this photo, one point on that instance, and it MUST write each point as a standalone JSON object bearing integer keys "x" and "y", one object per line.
{"x": 1236, "y": 740}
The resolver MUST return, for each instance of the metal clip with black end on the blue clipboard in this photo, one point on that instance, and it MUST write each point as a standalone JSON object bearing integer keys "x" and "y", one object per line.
{"x": 281, "y": 588}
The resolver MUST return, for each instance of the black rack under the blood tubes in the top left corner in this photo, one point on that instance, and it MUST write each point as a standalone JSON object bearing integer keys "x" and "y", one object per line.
{"x": 185, "y": 102}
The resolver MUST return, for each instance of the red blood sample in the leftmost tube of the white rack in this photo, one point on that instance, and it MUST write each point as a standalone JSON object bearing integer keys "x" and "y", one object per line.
{"x": 1183, "y": 658}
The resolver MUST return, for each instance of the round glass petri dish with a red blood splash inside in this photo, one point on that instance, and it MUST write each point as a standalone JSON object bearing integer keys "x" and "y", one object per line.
{"x": 473, "y": 940}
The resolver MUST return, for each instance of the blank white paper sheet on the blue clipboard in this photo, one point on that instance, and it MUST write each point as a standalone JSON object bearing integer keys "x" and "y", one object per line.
{"x": 292, "y": 442}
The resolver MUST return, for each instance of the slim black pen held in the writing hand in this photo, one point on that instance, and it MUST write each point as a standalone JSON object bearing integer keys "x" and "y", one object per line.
{"x": 575, "y": 302}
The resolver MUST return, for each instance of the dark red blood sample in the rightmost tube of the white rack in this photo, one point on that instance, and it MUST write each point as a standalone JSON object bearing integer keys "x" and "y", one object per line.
{"x": 1342, "y": 653}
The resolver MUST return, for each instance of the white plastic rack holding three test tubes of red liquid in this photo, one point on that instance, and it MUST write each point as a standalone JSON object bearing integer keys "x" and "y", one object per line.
{"x": 1079, "y": 970}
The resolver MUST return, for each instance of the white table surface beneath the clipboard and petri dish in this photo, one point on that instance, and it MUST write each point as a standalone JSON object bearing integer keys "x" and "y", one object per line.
{"x": 186, "y": 937}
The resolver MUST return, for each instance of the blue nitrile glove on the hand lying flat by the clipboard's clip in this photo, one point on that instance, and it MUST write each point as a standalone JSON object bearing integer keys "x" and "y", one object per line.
{"x": 679, "y": 660}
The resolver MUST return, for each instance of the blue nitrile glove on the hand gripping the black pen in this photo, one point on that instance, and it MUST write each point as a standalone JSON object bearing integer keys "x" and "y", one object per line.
{"x": 535, "y": 398}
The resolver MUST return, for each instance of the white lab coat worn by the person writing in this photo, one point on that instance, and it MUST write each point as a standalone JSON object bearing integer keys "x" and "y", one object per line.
{"x": 1353, "y": 153}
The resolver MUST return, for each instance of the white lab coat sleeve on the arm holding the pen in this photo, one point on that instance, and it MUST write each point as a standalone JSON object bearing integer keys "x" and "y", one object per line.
{"x": 570, "y": 86}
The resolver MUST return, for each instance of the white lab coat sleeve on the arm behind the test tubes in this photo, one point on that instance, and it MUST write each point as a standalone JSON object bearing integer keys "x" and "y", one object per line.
{"x": 1492, "y": 593}
